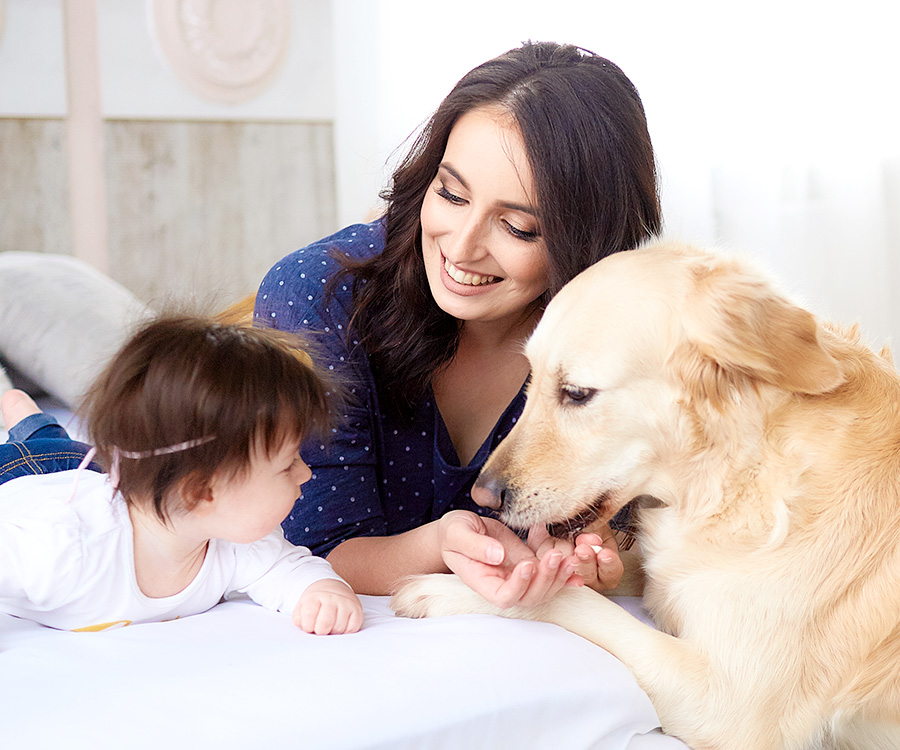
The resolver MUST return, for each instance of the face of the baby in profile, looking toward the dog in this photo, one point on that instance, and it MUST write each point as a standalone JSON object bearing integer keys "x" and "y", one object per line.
{"x": 248, "y": 507}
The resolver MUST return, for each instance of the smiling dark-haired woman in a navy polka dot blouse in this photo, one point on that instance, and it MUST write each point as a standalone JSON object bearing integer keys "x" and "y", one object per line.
{"x": 536, "y": 165}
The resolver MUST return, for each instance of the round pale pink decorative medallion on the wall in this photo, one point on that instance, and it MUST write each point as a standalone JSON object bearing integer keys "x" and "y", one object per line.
{"x": 227, "y": 51}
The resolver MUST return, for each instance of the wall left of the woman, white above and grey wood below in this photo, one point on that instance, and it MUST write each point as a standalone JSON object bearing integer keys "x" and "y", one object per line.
{"x": 112, "y": 151}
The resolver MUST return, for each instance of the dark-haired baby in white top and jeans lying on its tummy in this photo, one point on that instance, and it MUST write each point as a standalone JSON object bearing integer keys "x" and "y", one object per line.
{"x": 198, "y": 425}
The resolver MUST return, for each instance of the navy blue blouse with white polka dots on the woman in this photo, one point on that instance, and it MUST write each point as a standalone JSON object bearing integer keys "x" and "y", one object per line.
{"x": 378, "y": 475}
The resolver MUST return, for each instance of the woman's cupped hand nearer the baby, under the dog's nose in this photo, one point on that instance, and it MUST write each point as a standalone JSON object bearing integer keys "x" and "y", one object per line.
{"x": 494, "y": 562}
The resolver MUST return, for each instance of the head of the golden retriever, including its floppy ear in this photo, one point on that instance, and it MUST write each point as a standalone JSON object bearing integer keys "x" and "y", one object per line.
{"x": 636, "y": 363}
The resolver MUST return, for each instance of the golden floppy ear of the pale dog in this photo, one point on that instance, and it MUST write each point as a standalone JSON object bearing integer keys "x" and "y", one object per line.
{"x": 740, "y": 327}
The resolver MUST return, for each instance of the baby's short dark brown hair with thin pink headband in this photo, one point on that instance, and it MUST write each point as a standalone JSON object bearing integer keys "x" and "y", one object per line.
{"x": 232, "y": 389}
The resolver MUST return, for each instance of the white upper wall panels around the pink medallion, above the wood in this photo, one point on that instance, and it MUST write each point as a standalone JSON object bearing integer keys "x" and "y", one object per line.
{"x": 136, "y": 81}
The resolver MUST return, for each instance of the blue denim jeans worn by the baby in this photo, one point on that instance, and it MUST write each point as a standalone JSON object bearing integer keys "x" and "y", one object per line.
{"x": 39, "y": 445}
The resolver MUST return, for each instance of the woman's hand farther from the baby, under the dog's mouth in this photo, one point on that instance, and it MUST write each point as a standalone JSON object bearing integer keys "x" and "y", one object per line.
{"x": 599, "y": 564}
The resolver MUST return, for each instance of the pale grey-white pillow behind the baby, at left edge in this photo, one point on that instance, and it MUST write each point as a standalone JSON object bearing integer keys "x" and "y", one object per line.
{"x": 61, "y": 320}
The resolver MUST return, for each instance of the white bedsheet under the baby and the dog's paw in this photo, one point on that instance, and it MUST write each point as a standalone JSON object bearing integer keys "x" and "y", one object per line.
{"x": 242, "y": 677}
